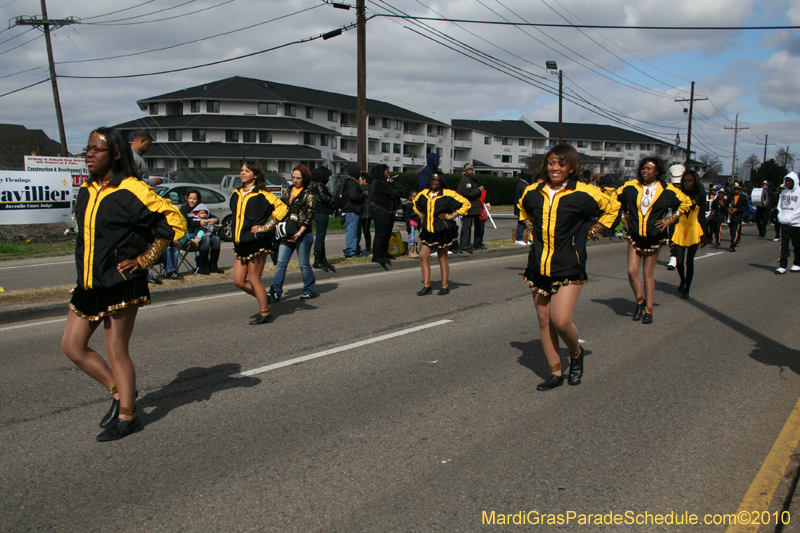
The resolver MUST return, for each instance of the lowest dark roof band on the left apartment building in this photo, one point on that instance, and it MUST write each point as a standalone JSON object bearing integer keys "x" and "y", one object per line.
{"x": 214, "y": 150}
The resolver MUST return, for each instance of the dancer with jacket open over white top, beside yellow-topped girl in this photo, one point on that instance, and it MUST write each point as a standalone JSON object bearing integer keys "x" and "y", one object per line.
{"x": 645, "y": 203}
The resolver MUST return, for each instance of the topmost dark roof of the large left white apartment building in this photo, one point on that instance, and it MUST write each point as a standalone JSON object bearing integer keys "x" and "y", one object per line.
{"x": 254, "y": 90}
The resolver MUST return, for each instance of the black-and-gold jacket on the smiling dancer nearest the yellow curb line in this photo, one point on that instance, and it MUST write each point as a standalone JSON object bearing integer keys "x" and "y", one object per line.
{"x": 560, "y": 228}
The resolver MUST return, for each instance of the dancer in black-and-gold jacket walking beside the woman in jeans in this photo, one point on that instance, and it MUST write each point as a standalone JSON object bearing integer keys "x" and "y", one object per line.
{"x": 256, "y": 213}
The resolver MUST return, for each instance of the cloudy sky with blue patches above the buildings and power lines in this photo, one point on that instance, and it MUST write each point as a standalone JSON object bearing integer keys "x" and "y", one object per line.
{"x": 626, "y": 77}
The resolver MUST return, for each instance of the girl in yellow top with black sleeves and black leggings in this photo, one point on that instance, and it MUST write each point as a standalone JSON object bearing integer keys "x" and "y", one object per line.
{"x": 688, "y": 232}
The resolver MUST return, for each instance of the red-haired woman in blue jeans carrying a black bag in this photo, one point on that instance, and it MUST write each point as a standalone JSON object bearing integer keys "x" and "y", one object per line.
{"x": 301, "y": 201}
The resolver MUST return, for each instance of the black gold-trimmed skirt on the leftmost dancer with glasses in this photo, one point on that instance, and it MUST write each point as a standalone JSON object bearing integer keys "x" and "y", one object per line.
{"x": 94, "y": 304}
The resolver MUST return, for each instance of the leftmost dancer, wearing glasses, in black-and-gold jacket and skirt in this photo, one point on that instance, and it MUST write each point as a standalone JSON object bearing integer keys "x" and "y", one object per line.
{"x": 123, "y": 227}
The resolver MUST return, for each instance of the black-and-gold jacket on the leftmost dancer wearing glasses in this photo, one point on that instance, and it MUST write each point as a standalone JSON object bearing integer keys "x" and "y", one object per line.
{"x": 117, "y": 222}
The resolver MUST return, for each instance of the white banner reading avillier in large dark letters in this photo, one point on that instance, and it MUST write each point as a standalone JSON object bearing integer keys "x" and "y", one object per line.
{"x": 34, "y": 197}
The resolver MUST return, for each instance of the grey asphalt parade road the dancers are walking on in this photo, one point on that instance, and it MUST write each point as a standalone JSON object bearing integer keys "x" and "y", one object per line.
{"x": 423, "y": 431}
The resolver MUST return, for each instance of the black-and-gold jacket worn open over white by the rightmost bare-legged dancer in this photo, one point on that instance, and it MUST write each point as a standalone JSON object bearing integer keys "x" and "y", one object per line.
{"x": 667, "y": 197}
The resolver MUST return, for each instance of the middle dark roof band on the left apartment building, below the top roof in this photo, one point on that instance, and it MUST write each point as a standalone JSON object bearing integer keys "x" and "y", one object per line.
{"x": 221, "y": 122}
